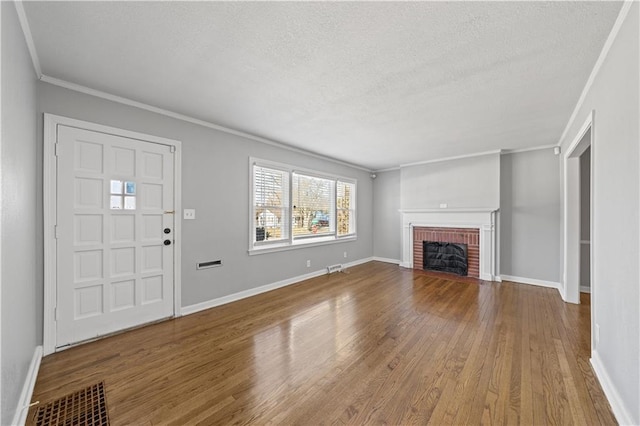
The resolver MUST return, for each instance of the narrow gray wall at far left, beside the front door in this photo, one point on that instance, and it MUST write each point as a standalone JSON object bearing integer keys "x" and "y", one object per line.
{"x": 21, "y": 280}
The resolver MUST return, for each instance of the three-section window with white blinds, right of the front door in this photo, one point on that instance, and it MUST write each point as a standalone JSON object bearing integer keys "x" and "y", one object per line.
{"x": 292, "y": 207}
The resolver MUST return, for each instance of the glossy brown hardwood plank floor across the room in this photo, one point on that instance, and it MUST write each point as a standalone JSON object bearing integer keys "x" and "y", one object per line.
{"x": 380, "y": 344}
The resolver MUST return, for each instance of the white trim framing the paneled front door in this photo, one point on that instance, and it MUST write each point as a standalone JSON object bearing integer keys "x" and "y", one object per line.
{"x": 49, "y": 186}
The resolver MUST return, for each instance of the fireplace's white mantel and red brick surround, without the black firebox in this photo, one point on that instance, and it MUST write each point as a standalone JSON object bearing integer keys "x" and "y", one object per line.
{"x": 474, "y": 227}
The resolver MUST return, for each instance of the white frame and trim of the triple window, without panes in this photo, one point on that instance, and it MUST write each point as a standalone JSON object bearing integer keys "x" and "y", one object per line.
{"x": 293, "y": 242}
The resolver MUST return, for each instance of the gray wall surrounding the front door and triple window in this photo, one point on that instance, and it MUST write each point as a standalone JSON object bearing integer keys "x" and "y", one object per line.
{"x": 216, "y": 183}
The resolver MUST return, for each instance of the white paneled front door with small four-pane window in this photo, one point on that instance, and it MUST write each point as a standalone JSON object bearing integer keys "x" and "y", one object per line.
{"x": 114, "y": 234}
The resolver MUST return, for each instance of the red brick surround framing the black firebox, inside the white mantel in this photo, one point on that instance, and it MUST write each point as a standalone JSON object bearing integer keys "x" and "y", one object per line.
{"x": 468, "y": 236}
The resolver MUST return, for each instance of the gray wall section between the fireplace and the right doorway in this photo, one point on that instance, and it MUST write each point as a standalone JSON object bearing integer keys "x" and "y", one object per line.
{"x": 530, "y": 215}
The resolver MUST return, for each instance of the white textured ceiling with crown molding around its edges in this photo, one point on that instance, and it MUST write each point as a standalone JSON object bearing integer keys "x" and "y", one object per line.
{"x": 375, "y": 84}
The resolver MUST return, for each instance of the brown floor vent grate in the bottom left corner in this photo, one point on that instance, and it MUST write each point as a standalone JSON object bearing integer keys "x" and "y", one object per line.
{"x": 87, "y": 407}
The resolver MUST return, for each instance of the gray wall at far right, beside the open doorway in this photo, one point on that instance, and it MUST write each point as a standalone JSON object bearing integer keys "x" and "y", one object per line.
{"x": 616, "y": 202}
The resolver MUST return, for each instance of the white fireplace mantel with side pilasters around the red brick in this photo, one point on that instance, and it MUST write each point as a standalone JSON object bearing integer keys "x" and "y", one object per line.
{"x": 483, "y": 219}
